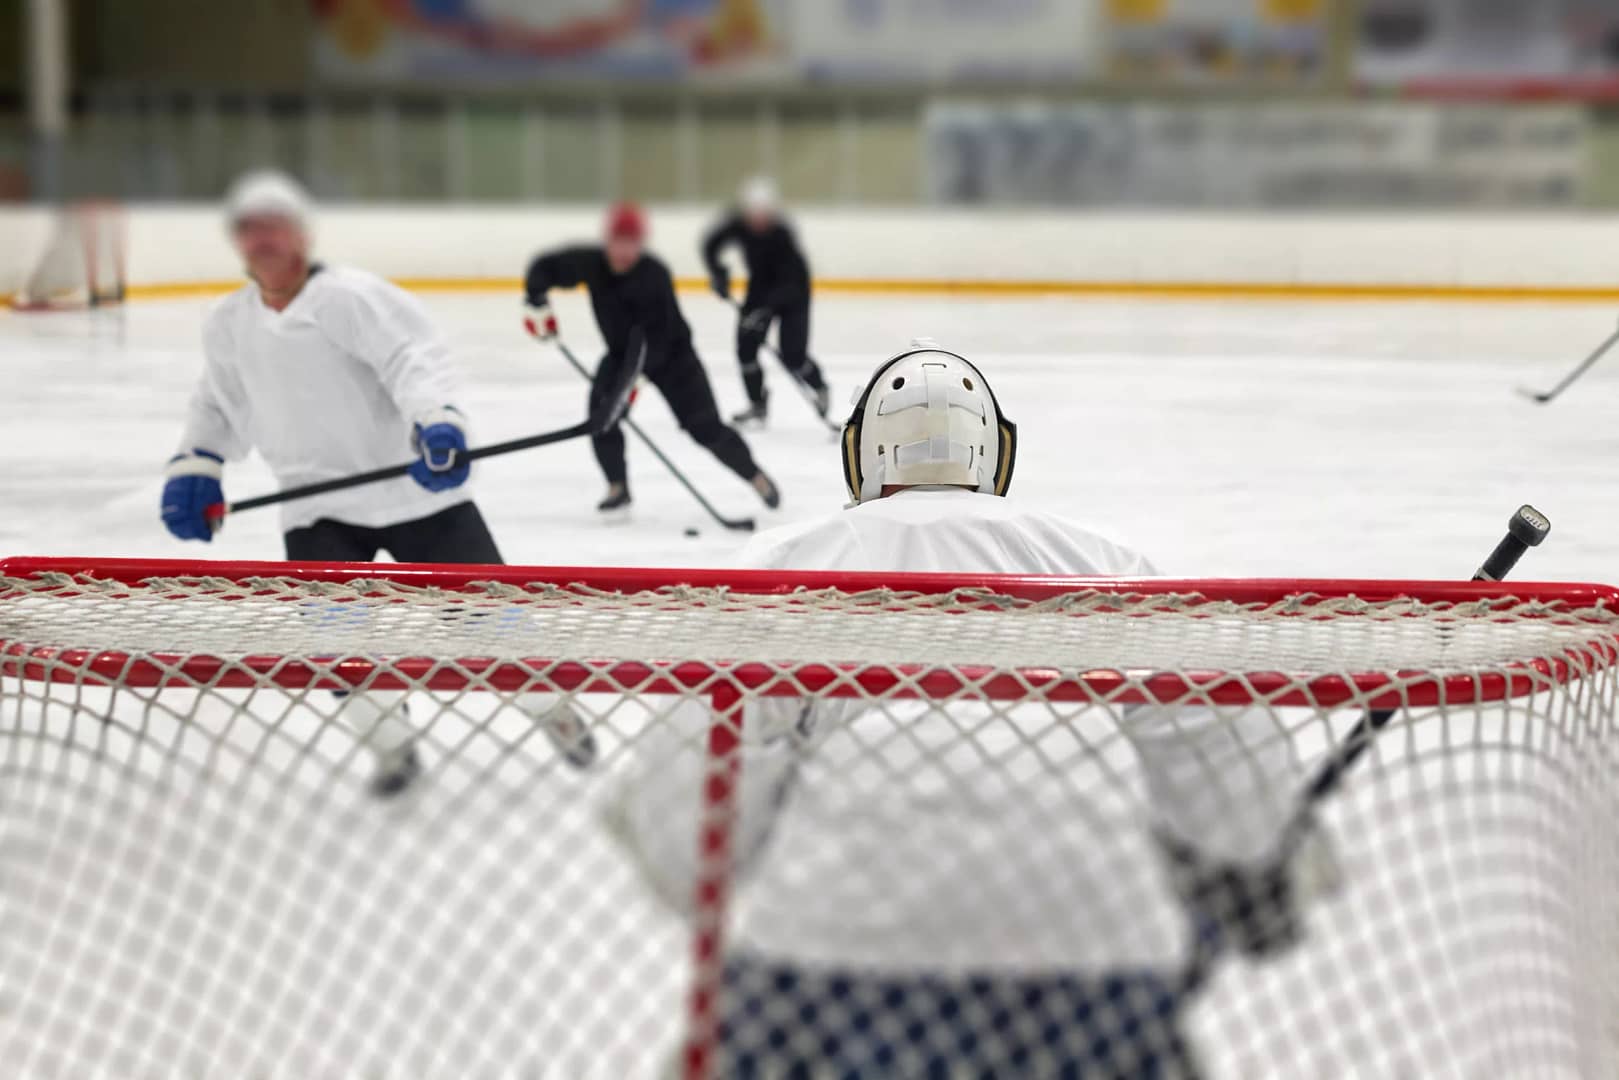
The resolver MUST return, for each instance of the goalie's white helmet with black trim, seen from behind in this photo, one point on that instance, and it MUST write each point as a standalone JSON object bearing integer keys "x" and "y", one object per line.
{"x": 928, "y": 417}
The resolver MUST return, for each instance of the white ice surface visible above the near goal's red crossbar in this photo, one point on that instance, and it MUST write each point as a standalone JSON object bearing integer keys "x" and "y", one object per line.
{"x": 1223, "y": 440}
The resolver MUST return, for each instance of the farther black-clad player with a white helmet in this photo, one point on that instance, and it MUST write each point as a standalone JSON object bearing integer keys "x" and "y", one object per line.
{"x": 778, "y": 292}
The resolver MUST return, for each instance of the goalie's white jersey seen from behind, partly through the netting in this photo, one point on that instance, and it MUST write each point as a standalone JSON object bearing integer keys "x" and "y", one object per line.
{"x": 966, "y": 838}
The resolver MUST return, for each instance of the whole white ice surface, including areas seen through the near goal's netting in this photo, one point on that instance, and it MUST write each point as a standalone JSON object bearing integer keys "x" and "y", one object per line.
{"x": 318, "y": 935}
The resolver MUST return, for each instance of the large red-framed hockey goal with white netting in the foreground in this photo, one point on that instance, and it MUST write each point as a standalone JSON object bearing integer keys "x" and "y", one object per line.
{"x": 835, "y": 823}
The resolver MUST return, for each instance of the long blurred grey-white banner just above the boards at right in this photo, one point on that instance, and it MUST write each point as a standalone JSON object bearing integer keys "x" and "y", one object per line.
{"x": 1281, "y": 156}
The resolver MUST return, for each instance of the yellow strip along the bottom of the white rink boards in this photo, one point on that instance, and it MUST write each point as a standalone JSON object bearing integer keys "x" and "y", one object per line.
{"x": 1142, "y": 291}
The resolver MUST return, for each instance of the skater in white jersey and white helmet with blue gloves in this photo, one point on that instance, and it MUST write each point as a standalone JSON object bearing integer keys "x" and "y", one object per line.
{"x": 331, "y": 372}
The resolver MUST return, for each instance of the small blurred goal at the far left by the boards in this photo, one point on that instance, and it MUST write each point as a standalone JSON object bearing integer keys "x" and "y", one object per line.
{"x": 82, "y": 265}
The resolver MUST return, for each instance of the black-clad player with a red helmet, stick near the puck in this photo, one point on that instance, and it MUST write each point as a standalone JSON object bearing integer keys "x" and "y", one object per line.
{"x": 635, "y": 307}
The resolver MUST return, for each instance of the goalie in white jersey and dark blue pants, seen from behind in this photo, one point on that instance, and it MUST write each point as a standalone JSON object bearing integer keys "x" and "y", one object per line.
{"x": 916, "y": 896}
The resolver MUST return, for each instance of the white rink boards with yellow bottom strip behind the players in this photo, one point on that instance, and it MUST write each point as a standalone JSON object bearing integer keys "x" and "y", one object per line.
{"x": 1563, "y": 257}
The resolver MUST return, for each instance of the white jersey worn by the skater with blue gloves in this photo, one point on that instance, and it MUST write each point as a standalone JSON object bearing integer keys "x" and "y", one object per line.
{"x": 328, "y": 388}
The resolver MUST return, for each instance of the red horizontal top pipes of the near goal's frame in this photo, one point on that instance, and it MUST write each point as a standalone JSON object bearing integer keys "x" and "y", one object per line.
{"x": 1377, "y": 691}
